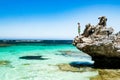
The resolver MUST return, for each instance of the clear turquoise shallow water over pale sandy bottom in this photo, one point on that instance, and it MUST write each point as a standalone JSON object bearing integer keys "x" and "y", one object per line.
{"x": 21, "y": 69}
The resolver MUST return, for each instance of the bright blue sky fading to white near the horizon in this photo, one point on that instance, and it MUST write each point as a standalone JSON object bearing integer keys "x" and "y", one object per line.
{"x": 54, "y": 19}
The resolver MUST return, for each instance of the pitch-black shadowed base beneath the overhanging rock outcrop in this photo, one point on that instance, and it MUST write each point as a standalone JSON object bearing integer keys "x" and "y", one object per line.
{"x": 106, "y": 63}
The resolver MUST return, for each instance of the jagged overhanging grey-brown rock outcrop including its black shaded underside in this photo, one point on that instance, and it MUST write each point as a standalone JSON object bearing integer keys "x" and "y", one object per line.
{"x": 101, "y": 44}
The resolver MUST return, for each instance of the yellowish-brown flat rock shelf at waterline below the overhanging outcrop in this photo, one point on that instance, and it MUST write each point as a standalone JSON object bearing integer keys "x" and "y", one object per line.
{"x": 102, "y": 74}
